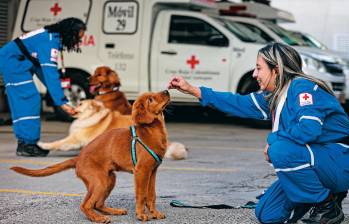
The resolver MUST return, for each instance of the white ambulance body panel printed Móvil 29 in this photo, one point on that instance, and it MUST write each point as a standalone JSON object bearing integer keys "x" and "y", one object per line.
{"x": 119, "y": 43}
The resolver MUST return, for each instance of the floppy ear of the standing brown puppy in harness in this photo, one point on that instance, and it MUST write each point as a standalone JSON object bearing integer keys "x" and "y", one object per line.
{"x": 140, "y": 114}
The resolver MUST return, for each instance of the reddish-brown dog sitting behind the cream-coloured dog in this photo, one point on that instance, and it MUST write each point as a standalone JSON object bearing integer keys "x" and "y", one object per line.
{"x": 105, "y": 84}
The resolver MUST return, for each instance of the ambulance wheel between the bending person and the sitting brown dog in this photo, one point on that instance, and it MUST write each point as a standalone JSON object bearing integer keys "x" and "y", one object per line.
{"x": 78, "y": 91}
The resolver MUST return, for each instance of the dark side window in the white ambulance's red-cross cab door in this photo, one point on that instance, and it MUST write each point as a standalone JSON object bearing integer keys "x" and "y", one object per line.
{"x": 189, "y": 30}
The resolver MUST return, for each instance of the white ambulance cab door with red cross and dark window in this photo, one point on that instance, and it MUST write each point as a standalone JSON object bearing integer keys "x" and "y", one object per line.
{"x": 191, "y": 45}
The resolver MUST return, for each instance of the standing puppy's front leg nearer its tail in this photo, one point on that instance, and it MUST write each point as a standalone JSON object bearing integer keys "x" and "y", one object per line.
{"x": 142, "y": 177}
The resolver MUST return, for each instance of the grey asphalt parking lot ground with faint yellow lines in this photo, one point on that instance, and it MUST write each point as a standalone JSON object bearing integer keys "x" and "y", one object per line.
{"x": 225, "y": 166}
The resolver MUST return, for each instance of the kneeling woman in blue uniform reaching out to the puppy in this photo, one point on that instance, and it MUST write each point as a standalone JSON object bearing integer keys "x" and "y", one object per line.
{"x": 308, "y": 146}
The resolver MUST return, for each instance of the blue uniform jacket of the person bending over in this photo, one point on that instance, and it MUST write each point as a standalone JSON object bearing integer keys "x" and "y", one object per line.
{"x": 45, "y": 47}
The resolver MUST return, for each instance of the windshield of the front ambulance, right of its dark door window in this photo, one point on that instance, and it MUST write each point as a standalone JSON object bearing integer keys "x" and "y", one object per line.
{"x": 245, "y": 32}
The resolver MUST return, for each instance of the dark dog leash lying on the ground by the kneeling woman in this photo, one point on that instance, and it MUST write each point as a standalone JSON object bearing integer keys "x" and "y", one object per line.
{"x": 180, "y": 204}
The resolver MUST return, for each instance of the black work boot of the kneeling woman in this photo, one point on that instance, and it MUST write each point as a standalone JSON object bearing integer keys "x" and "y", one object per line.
{"x": 327, "y": 212}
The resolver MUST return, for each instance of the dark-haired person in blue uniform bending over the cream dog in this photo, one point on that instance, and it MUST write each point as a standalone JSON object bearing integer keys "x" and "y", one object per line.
{"x": 36, "y": 53}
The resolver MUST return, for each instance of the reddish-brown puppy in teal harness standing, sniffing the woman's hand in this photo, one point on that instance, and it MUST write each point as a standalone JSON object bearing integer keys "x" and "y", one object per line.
{"x": 111, "y": 152}
